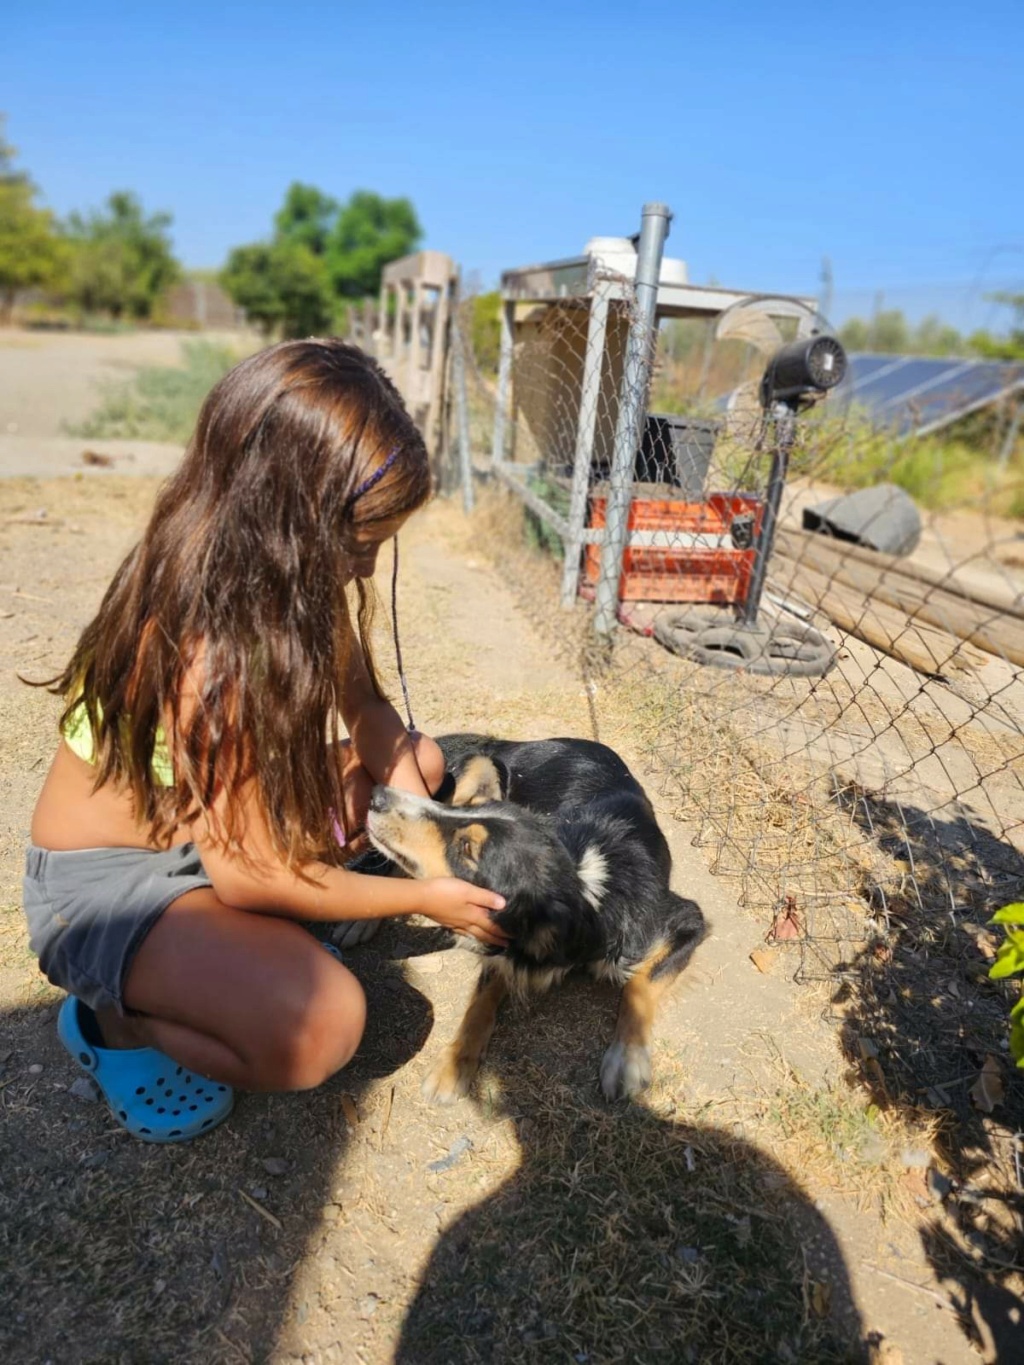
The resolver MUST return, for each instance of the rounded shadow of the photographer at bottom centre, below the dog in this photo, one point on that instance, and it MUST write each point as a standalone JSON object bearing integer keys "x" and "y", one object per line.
{"x": 626, "y": 1236}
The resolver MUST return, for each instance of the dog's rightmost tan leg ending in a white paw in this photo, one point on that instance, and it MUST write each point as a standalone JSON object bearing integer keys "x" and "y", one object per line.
{"x": 627, "y": 1064}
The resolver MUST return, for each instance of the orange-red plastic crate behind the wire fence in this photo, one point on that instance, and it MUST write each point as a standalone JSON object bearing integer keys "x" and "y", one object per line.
{"x": 681, "y": 571}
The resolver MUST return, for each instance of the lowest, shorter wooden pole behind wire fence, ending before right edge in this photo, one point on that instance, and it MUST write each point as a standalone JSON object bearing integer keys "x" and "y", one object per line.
{"x": 922, "y": 648}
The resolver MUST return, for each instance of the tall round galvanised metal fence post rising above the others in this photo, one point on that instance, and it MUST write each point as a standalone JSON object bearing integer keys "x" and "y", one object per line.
{"x": 655, "y": 229}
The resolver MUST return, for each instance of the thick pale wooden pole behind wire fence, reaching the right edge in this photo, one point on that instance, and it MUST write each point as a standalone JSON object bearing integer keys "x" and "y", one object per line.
{"x": 996, "y": 631}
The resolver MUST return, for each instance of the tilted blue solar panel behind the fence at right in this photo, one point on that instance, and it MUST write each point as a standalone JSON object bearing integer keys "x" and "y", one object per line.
{"x": 913, "y": 395}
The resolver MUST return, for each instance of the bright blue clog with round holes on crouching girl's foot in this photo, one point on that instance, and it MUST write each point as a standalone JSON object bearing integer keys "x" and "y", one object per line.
{"x": 151, "y": 1095}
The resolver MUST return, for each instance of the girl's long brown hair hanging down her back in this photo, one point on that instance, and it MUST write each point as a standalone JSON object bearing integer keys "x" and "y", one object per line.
{"x": 245, "y": 558}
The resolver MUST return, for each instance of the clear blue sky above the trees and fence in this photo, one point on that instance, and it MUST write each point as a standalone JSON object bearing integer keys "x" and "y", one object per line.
{"x": 887, "y": 137}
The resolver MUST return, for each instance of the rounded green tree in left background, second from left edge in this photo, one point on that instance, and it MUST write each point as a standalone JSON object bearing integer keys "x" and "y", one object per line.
{"x": 122, "y": 261}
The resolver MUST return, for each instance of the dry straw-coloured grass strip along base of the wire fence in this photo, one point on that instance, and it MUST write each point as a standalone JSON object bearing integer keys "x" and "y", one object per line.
{"x": 891, "y": 893}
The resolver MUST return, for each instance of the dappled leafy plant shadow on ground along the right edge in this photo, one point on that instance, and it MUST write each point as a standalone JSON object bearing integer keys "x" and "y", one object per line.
{"x": 920, "y": 1020}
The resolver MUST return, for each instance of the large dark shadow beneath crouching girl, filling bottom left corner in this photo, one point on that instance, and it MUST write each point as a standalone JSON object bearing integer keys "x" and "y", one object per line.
{"x": 122, "y": 1252}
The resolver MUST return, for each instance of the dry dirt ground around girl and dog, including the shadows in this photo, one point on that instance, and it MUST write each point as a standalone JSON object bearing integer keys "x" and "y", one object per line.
{"x": 752, "y": 1209}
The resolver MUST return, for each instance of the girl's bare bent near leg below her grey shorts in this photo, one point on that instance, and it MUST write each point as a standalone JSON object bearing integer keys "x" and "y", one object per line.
{"x": 248, "y": 1000}
